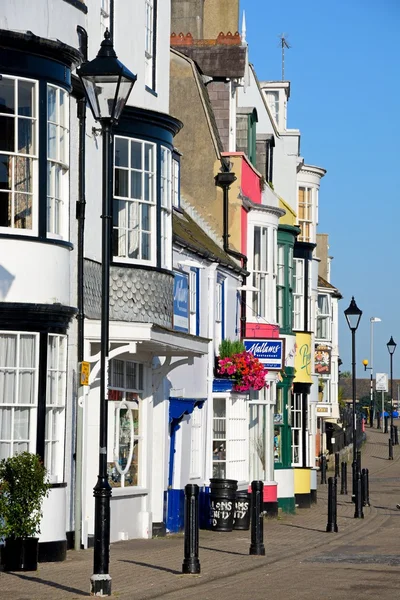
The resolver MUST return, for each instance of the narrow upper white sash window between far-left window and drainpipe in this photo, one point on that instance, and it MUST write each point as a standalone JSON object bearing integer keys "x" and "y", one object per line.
{"x": 57, "y": 160}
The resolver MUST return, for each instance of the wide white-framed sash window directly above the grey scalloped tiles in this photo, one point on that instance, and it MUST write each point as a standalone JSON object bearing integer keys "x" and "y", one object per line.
{"x": 134, "y": 200}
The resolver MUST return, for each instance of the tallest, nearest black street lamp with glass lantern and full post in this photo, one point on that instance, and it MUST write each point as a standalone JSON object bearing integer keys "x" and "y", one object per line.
{"x": 107, "y": 83}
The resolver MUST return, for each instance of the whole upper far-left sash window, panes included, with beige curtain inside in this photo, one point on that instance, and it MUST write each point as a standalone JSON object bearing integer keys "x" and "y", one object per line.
{"x": 18, "y": 153}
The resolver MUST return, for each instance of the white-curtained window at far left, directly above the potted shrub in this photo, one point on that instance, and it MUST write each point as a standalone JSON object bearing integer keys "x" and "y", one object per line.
{"x": 19, "y": 365}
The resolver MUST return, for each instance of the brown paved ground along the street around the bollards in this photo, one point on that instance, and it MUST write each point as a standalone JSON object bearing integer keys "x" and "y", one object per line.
{"x": 302, "y": 561}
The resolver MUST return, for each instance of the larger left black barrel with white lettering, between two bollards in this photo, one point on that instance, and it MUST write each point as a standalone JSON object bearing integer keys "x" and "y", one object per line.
{"x": 222, "y": 504}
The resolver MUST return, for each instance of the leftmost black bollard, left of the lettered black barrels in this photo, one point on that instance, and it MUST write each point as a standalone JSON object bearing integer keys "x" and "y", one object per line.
{"x": 191, "y": 563}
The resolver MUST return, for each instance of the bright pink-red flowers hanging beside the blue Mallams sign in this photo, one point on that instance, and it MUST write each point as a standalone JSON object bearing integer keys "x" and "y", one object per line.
{"x": 245, "y": 370}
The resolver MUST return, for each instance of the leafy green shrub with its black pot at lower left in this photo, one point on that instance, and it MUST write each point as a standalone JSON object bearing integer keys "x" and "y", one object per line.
{"x": 23, "y": 486}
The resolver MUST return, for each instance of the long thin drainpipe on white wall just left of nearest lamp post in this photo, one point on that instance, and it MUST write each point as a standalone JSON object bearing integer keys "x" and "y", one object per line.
{"x": 80, "y": 215}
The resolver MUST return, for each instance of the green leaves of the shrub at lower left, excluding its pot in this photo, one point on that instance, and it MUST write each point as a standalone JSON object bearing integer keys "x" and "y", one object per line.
{"x": 23, "y": 487}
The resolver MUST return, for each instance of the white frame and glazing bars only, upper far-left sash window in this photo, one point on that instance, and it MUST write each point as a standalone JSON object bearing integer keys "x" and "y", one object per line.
{"x": 34, "y": 194}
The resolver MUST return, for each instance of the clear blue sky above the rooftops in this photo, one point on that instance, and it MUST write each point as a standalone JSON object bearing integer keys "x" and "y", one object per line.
{"x": 344, "y": 69}
